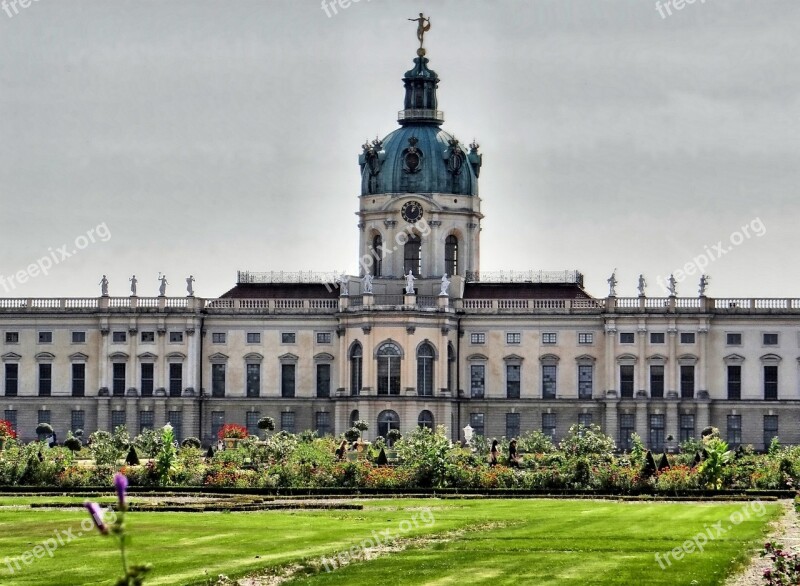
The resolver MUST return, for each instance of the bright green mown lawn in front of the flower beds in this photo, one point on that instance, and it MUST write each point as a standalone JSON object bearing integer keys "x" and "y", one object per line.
{"x": 477, "y": 541}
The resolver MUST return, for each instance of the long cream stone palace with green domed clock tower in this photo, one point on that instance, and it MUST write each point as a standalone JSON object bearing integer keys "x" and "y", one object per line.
{"x": 420, "y": 337}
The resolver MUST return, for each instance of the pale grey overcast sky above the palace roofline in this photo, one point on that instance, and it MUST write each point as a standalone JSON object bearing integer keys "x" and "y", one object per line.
{"x": 211, "y": 136}
